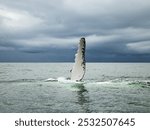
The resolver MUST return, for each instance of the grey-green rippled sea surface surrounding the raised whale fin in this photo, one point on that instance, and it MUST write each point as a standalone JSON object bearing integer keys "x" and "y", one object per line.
{"x": 44, "y": 88}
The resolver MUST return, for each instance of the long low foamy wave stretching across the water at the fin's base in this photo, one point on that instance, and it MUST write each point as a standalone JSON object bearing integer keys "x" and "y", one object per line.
{"x": 87, "y": 83}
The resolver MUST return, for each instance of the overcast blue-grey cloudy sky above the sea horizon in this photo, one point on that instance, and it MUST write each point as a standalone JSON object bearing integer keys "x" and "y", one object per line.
{"x": 49, "y": 30}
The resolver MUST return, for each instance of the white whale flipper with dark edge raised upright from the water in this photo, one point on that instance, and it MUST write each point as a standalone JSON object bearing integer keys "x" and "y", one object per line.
{"x": 78, "y": 70}
